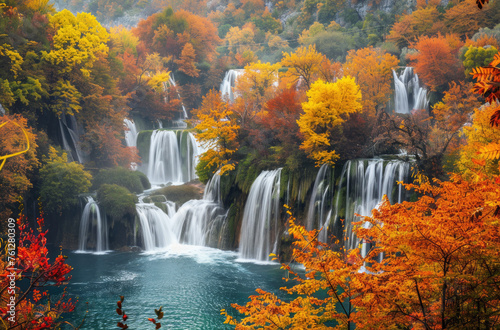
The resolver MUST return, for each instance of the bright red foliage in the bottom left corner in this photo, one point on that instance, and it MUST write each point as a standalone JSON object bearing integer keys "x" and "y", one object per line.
{"x": 26, "y": 277}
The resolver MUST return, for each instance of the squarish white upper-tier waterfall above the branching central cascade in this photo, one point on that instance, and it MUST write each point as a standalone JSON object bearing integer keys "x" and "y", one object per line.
{"x": 172, "y": 157}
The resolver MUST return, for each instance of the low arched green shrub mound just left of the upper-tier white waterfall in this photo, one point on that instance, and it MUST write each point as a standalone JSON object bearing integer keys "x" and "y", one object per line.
{"x": 134, "y": 181}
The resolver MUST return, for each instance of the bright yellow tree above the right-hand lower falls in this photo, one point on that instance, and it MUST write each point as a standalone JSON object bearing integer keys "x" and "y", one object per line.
{"x": 327, "y": 107}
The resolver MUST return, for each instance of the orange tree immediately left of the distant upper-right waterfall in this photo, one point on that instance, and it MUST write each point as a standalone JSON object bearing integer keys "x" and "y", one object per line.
{"x": 372, "y": 69}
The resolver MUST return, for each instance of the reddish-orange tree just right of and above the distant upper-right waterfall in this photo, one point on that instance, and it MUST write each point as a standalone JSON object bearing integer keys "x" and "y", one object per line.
{"x": 436, "y": 60}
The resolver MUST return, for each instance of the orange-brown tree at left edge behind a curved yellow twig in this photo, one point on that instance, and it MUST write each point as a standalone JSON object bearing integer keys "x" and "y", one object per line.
{"x": 17, "y": 161}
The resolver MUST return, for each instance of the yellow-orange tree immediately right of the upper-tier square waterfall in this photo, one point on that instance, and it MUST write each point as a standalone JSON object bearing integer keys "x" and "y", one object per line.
{"x": 217, "y": 133}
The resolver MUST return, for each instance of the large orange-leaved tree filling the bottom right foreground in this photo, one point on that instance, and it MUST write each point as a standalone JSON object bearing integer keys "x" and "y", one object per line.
{"x": 439, "y": 268}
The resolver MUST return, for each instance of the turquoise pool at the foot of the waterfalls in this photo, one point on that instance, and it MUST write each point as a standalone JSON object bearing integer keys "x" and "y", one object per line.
{"x": 192, "y": 284}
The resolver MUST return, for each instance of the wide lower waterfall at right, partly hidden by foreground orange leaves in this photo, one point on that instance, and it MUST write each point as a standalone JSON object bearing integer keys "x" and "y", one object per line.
{"x": 362, "y": 185}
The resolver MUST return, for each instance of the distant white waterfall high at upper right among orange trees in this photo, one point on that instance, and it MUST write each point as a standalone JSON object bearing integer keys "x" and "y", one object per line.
{"x": 408, "y": 94}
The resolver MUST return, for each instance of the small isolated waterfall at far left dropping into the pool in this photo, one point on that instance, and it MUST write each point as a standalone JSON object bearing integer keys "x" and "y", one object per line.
{"x": 93, "y": 229}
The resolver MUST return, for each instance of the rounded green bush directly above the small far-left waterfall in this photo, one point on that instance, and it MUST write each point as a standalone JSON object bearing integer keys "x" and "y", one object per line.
{"x": 118, "y": 202}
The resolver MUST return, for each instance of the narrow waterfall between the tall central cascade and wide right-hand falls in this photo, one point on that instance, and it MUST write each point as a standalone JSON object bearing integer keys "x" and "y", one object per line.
{"x": 319, "y": 212}
